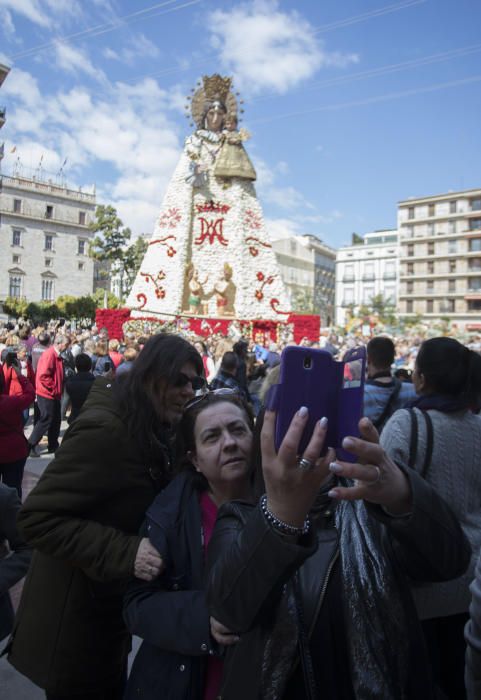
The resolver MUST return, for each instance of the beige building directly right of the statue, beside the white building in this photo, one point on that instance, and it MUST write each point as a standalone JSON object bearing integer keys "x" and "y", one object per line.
{"x": 307, "y": 267}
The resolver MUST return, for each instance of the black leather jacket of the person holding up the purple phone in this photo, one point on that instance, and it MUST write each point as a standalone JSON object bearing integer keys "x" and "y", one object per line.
{"x": 248, "y": 565}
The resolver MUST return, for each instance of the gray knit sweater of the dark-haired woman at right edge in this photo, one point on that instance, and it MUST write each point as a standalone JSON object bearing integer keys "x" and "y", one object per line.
{"x": 456, "y": 476}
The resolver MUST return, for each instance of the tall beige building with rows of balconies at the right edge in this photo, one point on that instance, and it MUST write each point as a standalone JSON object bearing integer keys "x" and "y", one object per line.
{"x": 440, "y": 258}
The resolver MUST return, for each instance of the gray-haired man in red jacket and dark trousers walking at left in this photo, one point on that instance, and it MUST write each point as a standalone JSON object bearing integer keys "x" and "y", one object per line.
{"x": 49, "y": 386}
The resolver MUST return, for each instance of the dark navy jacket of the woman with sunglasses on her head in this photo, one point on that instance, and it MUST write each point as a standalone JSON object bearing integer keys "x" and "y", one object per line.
{"x": 170, "y": 613}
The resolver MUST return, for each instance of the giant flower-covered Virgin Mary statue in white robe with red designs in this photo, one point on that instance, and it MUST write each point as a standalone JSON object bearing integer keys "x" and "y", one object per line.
{"x": 211, "y": 220}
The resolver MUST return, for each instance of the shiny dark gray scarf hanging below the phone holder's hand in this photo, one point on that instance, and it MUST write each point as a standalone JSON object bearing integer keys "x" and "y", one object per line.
{"x": 375, "y": 616}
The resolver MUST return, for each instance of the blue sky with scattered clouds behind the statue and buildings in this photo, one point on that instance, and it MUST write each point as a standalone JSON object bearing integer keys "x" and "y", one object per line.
{"x": 351, "y": 106}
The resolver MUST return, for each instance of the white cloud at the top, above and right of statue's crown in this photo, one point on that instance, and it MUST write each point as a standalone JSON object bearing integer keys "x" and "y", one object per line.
{"x": 267, "y": 48}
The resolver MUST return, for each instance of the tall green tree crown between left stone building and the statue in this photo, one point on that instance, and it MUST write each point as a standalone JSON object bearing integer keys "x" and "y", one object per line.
{"x": 110, "y": 244}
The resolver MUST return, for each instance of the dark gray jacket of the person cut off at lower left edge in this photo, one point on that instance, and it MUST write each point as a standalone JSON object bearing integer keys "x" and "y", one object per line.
{"x": 14, "y": 555}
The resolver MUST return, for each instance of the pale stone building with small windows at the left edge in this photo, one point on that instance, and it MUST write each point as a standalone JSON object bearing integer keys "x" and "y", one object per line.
{"x": 44, "y": 238}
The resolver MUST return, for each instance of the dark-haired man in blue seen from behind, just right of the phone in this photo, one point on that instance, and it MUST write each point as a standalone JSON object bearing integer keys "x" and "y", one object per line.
{"x": 383, "y": 393}
